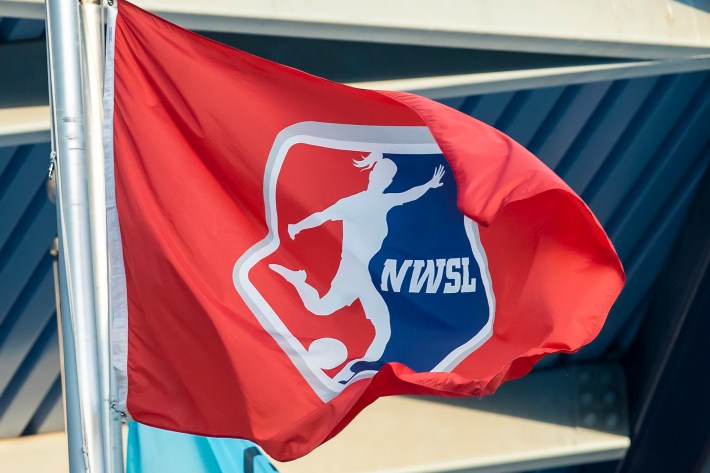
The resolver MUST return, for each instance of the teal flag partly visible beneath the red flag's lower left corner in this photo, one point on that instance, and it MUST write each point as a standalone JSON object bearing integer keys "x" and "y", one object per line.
{"x": 152, "y": 450}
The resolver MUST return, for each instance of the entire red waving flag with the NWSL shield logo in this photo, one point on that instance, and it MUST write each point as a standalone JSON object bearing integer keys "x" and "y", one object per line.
{"x": 293, "y": 249}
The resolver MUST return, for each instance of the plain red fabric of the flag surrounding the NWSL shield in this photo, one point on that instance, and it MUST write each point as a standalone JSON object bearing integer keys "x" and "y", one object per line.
{"x": 194, "y": 123}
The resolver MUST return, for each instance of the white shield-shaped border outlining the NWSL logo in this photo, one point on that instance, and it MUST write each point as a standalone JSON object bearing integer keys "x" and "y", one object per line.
{"x": 361, "y": 138}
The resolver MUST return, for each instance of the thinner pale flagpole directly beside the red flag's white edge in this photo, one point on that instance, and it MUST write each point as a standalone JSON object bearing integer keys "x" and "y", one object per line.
{"x": 93, "y": 69}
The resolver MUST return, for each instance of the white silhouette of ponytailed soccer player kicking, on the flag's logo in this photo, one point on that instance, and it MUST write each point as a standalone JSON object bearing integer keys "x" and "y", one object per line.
{"x": 364, "y": 217}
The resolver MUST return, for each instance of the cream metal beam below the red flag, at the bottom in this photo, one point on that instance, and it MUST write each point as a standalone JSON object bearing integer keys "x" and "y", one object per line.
{"x": 545, "y": 420}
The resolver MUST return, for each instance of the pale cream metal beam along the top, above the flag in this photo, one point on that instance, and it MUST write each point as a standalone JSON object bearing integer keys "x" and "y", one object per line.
{"x": 648, "y": 29}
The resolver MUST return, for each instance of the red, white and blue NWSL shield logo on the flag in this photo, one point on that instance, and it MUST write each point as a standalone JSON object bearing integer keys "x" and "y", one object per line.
{"x": 367, "y": 259}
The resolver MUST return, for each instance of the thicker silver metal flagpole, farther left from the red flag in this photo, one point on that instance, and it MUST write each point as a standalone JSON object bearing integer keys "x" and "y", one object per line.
{"x": 64, "y": 44}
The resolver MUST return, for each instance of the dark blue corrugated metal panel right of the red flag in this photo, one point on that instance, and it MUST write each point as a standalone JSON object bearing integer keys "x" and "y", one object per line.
{"x": 634, "y": 150}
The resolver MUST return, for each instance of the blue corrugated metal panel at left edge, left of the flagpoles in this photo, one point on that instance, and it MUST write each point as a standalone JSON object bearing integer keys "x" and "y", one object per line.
{"x": 29, "y": 361}
